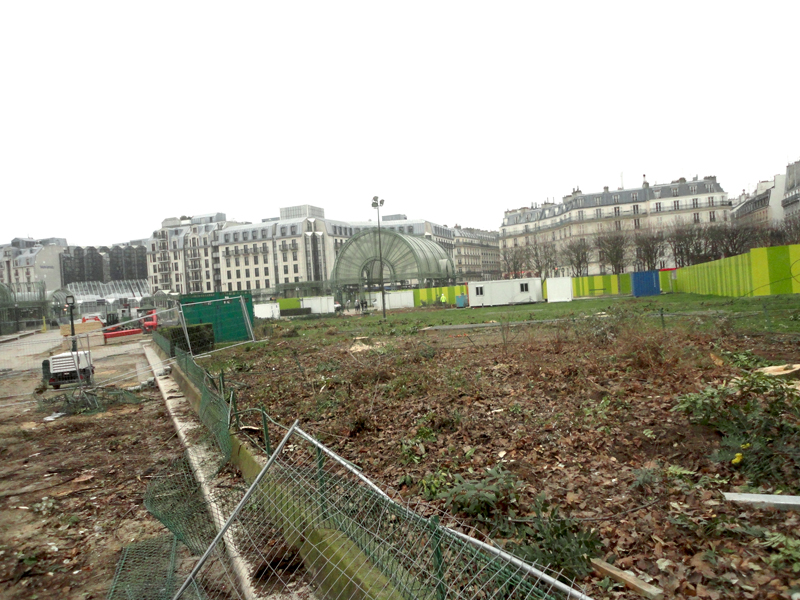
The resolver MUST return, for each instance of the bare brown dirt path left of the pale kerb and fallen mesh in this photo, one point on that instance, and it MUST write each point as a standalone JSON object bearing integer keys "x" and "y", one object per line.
{"x": 71, "y": 490}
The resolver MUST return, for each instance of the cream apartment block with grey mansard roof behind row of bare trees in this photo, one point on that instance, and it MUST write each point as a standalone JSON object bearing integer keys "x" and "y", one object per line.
{"x": 582, "y": 215}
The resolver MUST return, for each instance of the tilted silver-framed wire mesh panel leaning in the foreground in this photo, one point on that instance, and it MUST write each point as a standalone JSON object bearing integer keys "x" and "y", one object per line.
{"x": 312, "y": 522}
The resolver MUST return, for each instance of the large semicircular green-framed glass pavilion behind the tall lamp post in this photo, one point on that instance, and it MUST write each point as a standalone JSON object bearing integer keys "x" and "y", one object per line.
{"x": 405, "y": 258}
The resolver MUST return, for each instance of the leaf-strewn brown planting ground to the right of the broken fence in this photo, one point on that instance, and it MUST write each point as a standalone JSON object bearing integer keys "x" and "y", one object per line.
{"x": 578, "y": 414}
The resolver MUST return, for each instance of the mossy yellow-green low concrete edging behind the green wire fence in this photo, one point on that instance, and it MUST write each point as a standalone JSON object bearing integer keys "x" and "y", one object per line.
{"x": 339, "y": 567}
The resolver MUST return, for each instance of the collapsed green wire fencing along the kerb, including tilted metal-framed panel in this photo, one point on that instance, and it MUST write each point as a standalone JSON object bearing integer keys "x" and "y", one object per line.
{"x": 310, "y": 526}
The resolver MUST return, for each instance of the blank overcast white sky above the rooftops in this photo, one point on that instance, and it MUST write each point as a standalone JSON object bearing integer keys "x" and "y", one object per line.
{"x": 114, "y": 116}
